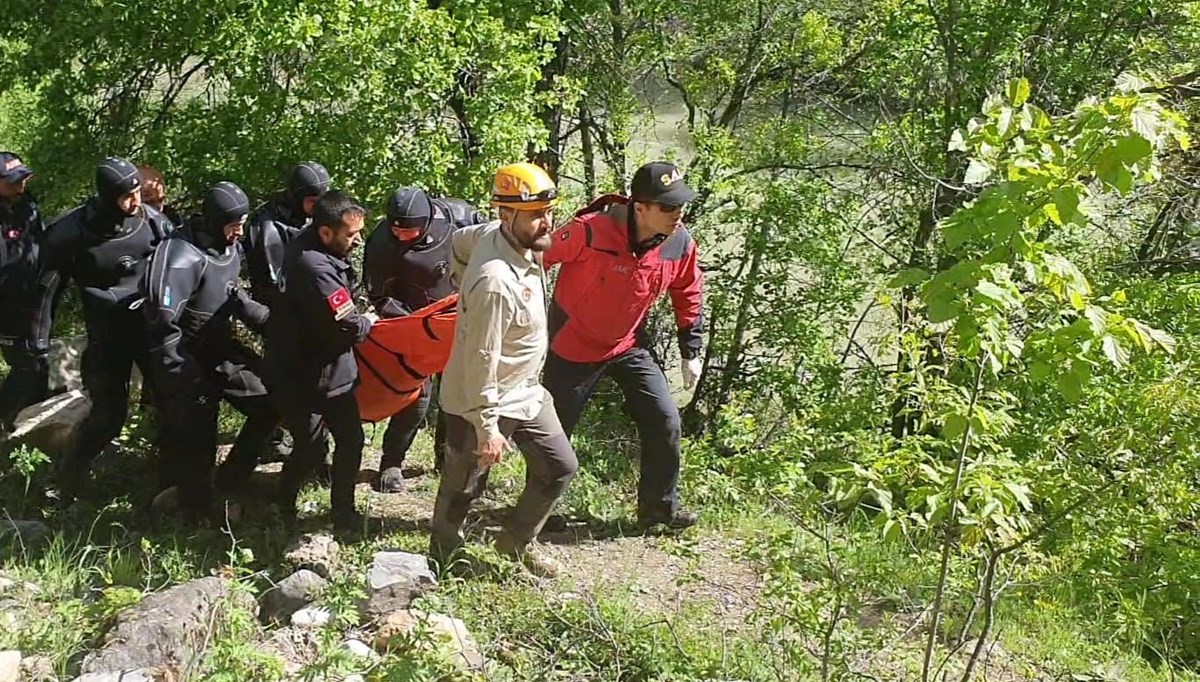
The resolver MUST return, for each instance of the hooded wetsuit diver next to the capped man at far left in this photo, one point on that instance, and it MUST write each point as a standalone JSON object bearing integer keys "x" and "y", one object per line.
{"x": 104, "y": 247}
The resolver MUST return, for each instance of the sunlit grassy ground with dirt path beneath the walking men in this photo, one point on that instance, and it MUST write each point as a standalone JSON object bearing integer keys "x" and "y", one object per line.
{"x": 106, "y": 555}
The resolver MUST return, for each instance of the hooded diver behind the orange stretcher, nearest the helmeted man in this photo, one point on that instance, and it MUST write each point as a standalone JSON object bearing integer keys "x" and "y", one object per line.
{"x": 407, "y": 267}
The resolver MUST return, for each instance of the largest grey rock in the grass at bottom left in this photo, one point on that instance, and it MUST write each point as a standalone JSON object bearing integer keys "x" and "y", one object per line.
{"x": 167, "y": 630}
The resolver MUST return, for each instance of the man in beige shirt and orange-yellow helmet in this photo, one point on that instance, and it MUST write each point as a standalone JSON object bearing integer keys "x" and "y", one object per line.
{"x": 491, "y": 390}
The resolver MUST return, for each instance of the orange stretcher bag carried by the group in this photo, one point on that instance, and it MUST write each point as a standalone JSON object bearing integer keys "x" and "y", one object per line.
{"x": 400, "y": 355}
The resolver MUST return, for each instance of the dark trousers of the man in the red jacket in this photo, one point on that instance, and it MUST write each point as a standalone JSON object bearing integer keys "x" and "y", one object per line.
{"x": 655, "y": 412}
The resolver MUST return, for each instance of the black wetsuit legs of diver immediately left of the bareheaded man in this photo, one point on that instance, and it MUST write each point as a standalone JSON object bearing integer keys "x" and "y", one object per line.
{"x": 189, "y": 439}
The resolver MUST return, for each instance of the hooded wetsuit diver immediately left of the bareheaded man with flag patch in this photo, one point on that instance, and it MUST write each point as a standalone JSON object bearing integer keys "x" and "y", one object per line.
{"x": 191, "y": 296}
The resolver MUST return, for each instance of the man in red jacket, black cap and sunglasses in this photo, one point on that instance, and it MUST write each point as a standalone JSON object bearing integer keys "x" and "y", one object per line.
{"x": 619, "y": 256}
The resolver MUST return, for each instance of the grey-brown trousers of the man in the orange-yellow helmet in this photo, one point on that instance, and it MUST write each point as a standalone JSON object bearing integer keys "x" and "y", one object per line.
{"x": 550, "y": 466}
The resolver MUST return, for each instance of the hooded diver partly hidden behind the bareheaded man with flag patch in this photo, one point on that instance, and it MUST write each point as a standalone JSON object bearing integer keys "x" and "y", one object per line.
{"x": 271, "y": 229}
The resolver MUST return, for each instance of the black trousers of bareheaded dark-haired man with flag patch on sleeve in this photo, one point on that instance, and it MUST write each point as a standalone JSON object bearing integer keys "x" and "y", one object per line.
{"x": 308, "y": 422}
